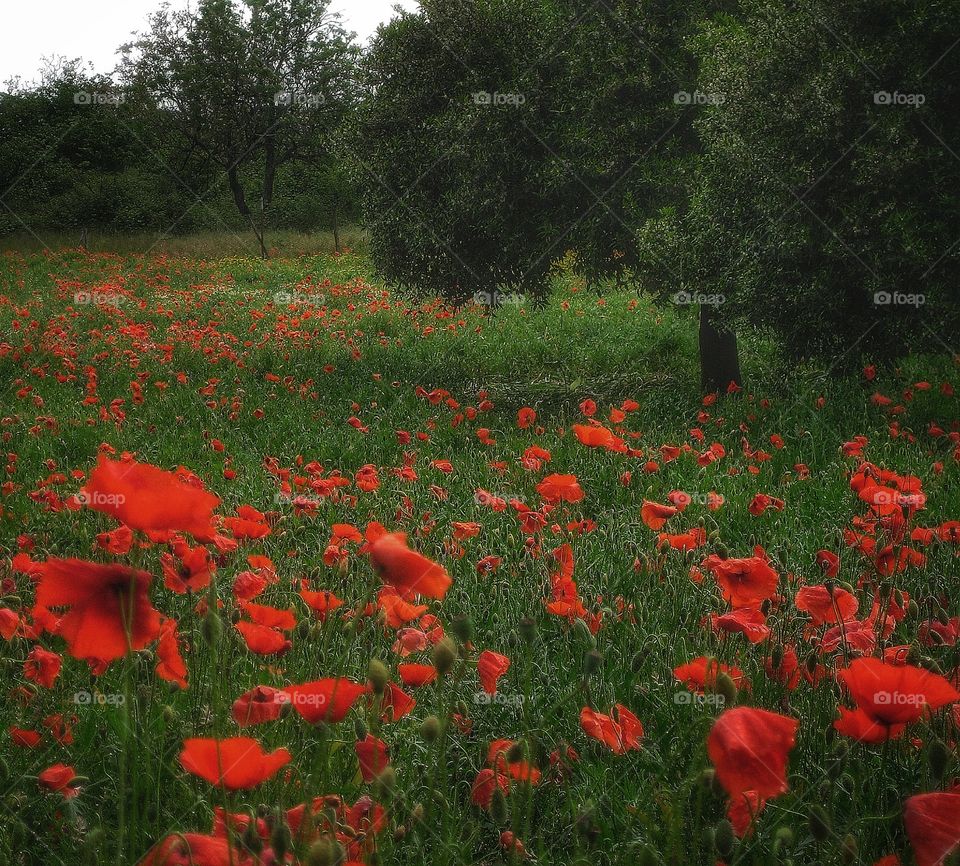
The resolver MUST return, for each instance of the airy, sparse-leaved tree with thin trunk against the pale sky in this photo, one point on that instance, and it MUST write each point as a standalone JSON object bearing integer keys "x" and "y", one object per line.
{"x": 248, "y": 87}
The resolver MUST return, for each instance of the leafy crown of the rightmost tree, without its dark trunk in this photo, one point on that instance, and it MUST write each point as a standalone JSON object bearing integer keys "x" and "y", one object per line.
{"x": 825, "y": 206}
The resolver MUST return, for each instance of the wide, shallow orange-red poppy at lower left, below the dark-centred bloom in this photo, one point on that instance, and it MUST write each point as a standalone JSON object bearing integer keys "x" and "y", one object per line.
{"x": 237, "y": 763}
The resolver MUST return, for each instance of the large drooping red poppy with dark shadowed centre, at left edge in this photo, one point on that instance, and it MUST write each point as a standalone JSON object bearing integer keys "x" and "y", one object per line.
{"x": 109, "y": 610}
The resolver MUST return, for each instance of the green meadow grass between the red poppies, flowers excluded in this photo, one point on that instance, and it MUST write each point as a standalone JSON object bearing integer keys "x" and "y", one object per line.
{"x": 183, "y": 320}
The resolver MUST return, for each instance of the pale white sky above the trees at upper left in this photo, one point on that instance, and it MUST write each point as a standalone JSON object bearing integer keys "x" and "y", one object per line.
{"x": 94, "y": 29}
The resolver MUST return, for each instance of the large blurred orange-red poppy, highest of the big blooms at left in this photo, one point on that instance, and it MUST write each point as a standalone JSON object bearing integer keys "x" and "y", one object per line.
{"x": 149, "y": 498}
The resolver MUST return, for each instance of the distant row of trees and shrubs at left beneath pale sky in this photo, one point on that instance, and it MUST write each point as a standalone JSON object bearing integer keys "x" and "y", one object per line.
{"x": 230, "y": 117}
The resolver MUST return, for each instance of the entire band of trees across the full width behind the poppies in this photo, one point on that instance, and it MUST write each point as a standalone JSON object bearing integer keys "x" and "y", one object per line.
{"x": 790, "y": 164}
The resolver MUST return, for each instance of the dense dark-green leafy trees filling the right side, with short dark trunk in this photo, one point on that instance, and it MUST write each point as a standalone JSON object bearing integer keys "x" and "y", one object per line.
{"x": 792, "y": 164}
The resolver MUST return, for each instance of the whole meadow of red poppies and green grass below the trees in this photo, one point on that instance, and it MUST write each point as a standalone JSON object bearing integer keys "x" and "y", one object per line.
{"x": 296, "y": 569}
